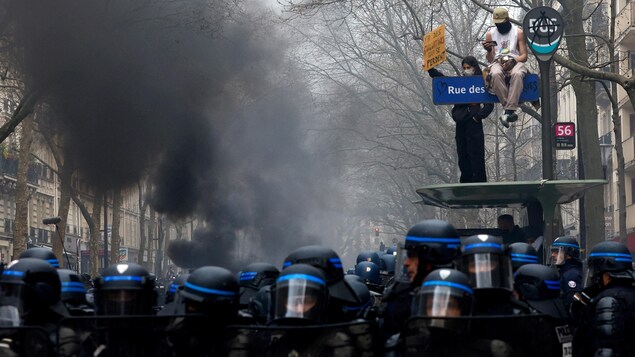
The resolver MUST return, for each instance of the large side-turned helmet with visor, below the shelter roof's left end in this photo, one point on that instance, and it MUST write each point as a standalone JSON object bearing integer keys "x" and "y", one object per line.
{"x": 434, "y": 242}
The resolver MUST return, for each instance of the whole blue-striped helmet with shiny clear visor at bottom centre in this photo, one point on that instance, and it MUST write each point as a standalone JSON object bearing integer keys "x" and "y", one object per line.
{"x": 301, "y": 296}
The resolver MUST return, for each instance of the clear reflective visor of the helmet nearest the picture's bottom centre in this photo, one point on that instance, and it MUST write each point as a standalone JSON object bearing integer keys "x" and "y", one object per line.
{"x": 301, "y": 299}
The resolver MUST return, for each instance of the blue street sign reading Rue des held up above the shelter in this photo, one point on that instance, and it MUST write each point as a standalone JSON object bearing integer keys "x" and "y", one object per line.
{"x": 471, "y": 89}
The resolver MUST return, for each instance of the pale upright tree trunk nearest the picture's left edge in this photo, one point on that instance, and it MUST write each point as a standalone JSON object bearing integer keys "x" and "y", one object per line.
{"x": 22, "y": 196}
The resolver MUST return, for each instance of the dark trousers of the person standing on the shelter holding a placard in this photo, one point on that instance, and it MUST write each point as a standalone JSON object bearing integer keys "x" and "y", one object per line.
{"x": 470, "y": 146}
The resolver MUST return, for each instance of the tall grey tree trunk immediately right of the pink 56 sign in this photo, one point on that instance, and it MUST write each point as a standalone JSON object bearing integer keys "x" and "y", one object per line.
{"x": 587, "y": 125}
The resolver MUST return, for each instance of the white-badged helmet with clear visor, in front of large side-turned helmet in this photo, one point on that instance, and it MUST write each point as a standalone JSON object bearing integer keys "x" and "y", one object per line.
{"x": 444, "y": 293}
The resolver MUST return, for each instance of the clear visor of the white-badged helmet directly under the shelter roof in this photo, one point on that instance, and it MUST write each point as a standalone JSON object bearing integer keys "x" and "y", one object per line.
{"x": 488, "y": 270}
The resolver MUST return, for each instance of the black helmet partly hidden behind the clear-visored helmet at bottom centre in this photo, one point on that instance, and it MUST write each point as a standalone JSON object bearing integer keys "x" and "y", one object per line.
{"x": 329, "y": 262}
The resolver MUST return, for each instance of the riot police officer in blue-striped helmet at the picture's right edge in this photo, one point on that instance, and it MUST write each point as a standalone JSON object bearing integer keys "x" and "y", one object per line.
{"x": 608, "y": 320}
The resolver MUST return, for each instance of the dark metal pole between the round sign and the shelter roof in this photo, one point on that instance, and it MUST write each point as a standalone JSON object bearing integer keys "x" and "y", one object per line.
{"x": 547, "y": 135}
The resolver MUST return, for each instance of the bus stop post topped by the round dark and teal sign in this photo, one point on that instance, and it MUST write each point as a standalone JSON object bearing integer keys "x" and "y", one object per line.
{"x": 543, "y": 27}
